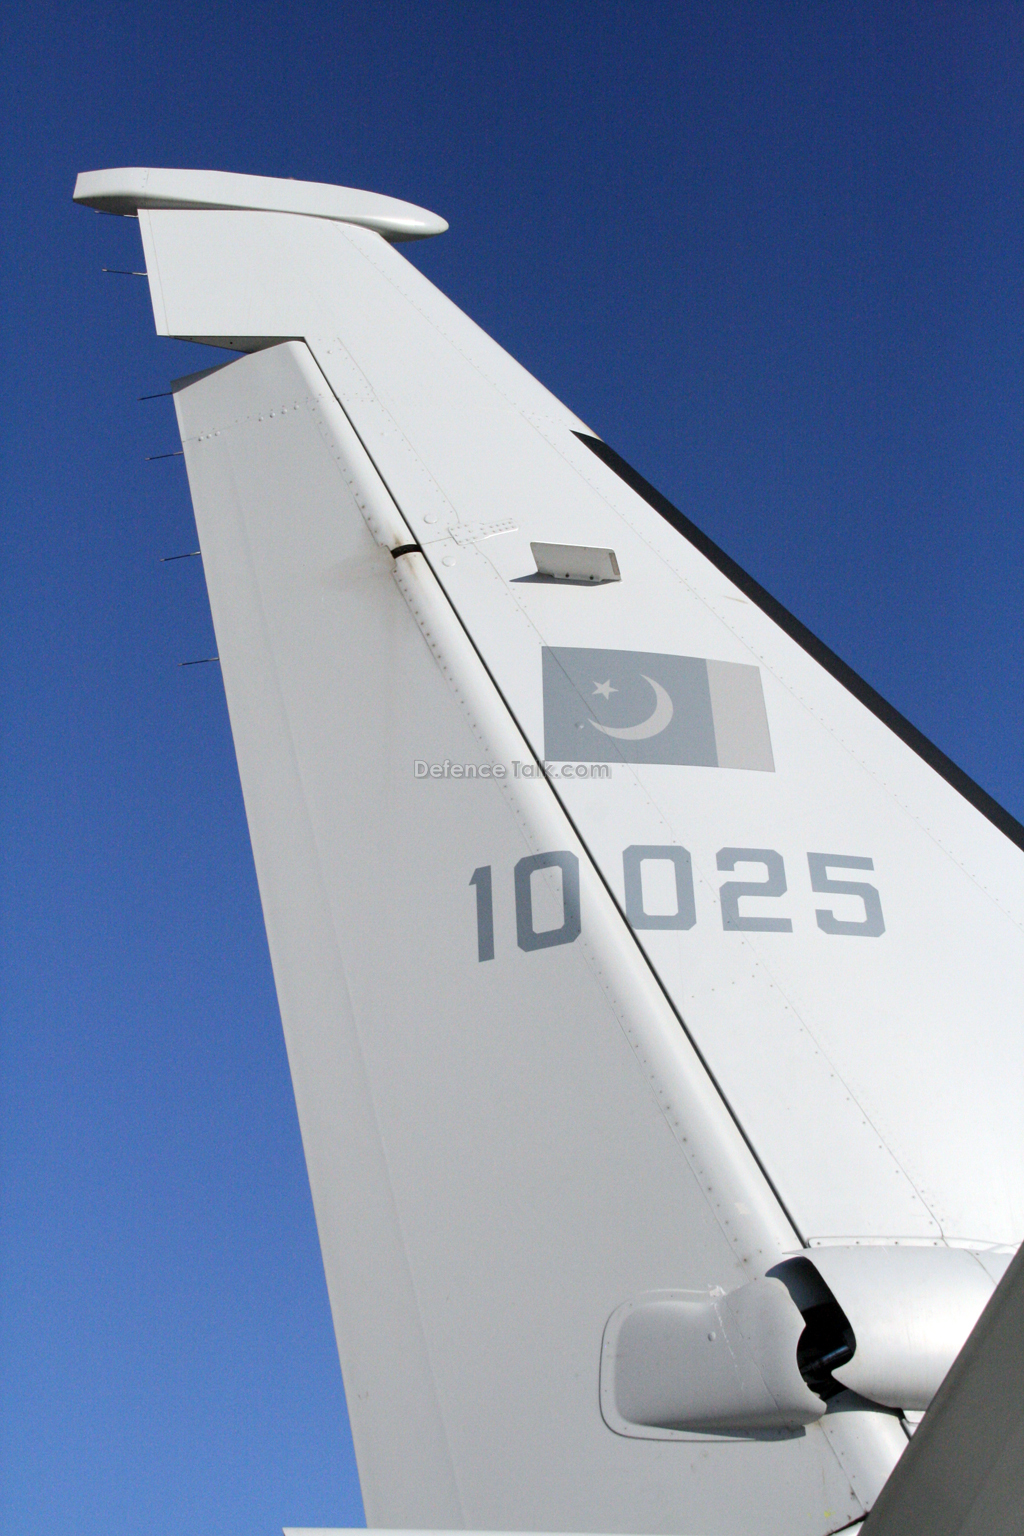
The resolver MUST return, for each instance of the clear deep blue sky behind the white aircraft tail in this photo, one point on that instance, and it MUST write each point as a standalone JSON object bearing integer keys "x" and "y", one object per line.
{"x": 771, "y": 253}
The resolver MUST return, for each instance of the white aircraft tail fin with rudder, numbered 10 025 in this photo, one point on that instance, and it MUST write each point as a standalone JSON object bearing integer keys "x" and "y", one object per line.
{"x": 652, "y": 1004}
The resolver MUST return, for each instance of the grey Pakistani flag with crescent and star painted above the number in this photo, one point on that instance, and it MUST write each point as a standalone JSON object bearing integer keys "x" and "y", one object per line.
{"x": 641, "y": 707}
